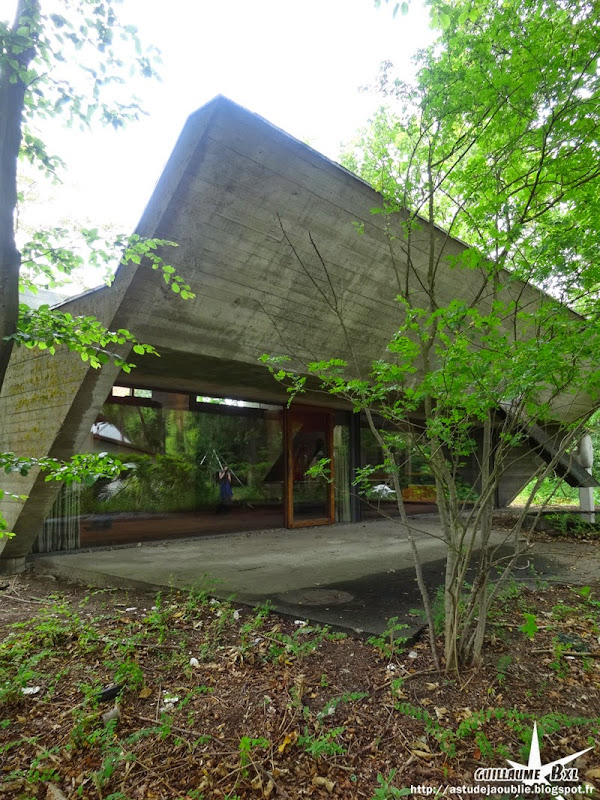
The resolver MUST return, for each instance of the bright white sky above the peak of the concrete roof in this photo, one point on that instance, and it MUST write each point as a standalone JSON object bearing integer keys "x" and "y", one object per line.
{"x": 298, "y": 63}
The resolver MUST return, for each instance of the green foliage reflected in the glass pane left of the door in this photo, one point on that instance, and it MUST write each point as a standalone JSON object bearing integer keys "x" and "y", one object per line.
{"x": 178, "y": 471}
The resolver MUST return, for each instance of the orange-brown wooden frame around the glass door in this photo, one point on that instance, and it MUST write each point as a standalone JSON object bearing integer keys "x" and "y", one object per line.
{"x": 288, "y": 417}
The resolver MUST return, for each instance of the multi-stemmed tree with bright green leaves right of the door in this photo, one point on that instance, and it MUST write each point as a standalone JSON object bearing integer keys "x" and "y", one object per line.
{"x": 496, "y": 143}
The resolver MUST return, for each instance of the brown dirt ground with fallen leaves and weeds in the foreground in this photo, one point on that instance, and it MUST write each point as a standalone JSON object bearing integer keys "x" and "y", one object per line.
{"x": 209, "y": 700}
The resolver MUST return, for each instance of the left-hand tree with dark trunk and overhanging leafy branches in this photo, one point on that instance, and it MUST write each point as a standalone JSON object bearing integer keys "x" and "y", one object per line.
{"x": 76, "y": 65}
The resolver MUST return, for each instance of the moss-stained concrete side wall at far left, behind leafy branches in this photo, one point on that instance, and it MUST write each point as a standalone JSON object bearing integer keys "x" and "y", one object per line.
{"x": 47, "y": 406}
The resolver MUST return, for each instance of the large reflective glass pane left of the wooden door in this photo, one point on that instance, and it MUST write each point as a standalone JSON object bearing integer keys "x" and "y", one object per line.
{"x": 193, "y": 466}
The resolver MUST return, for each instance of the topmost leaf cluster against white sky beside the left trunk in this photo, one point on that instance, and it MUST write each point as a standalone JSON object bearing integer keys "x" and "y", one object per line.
{"x": 89, "y": 36}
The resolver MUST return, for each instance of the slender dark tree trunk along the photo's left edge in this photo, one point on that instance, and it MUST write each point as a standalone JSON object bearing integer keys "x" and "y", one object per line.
{"x": 12, "y": 100}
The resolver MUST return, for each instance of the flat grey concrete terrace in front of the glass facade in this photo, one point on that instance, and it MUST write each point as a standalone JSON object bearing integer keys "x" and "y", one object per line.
{"x": 353, "y": 576}
